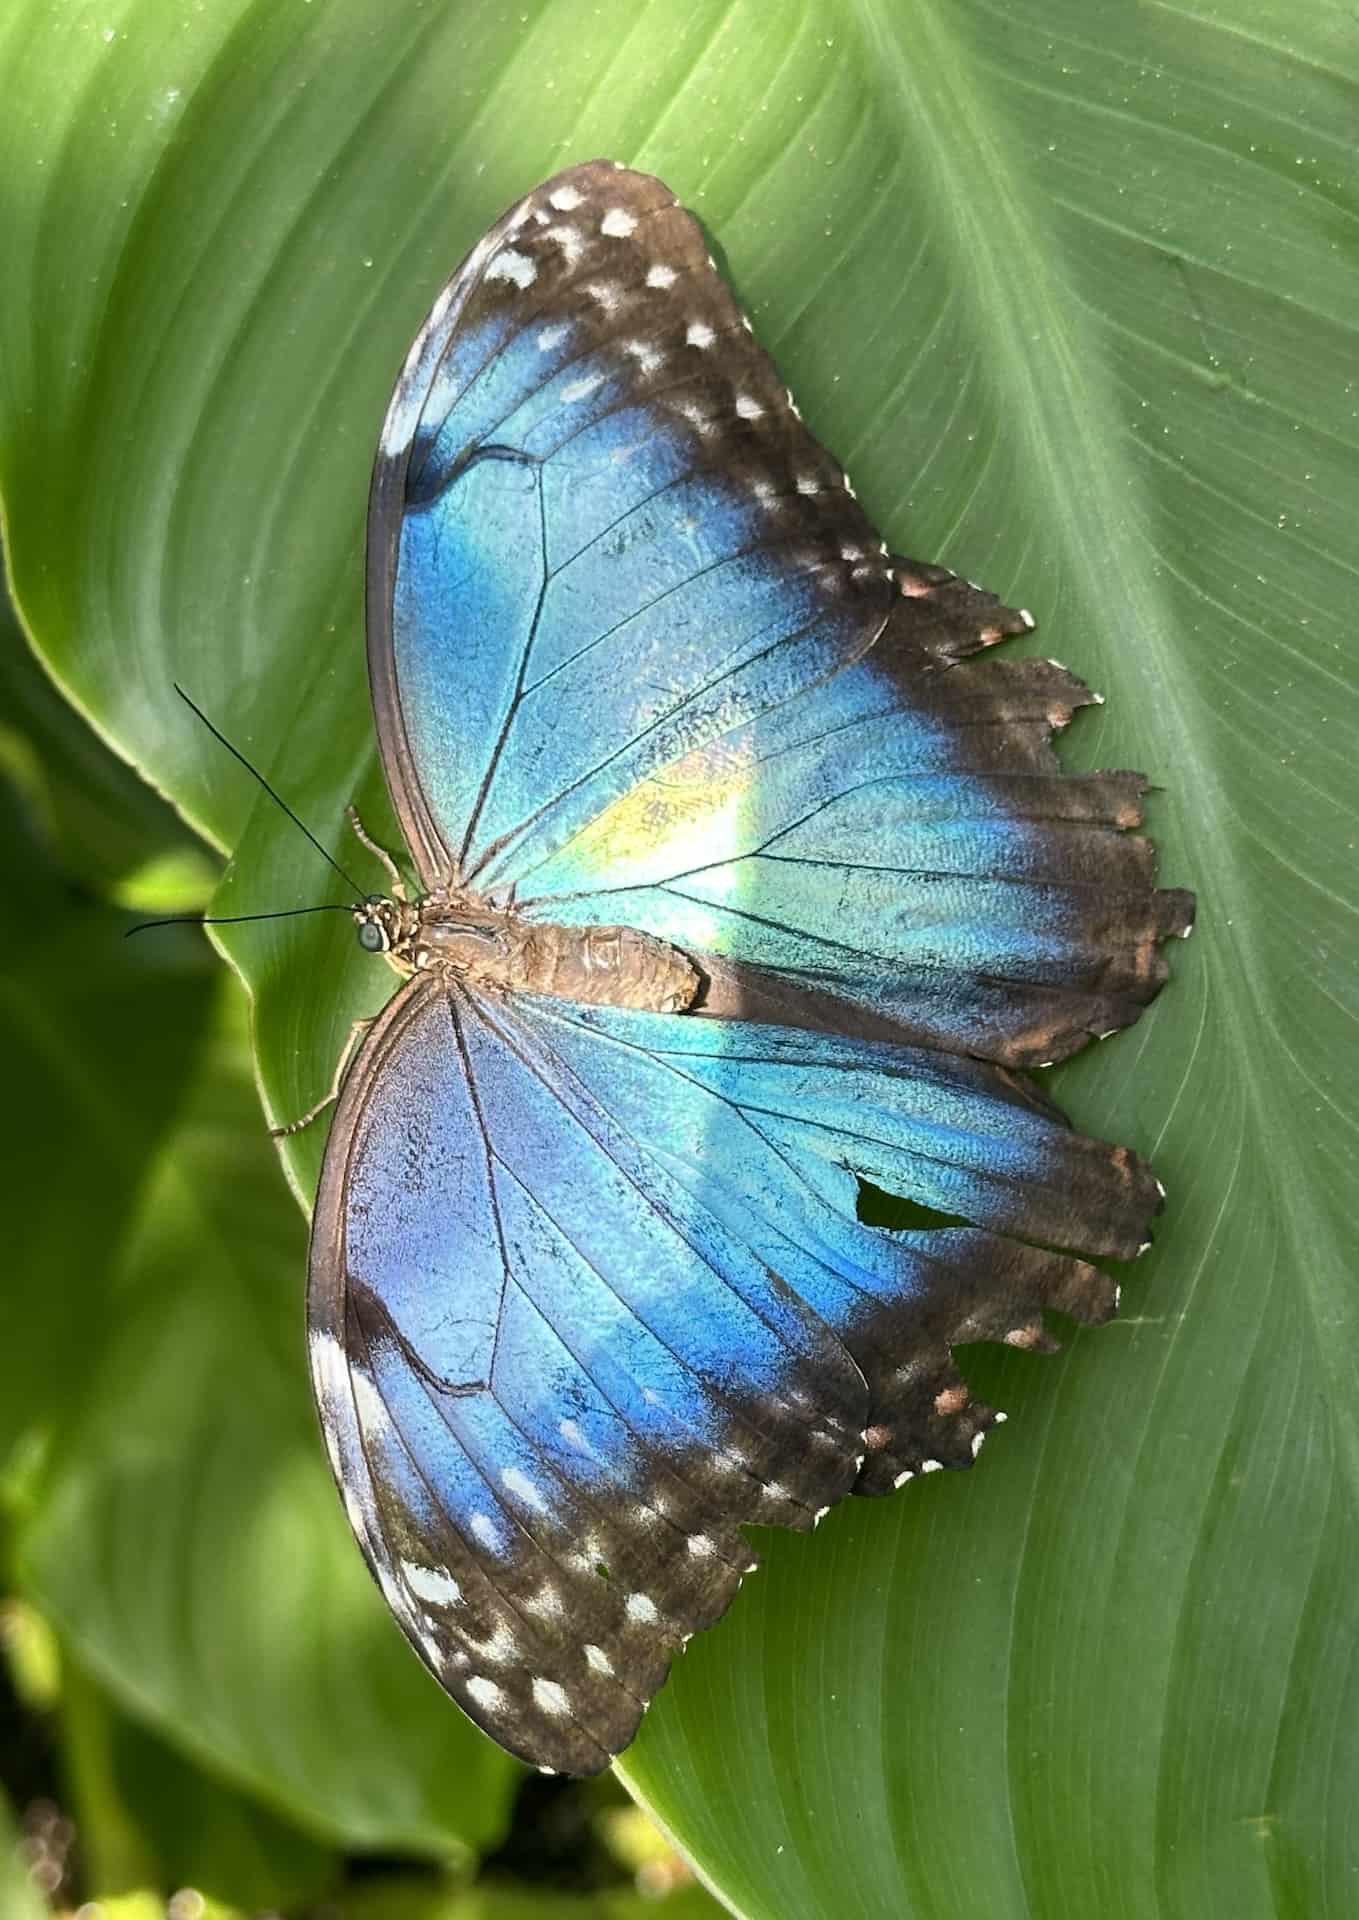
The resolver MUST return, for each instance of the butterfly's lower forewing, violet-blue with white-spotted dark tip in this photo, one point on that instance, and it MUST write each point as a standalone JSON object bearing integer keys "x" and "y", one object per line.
{"x": 550, "y": 1493}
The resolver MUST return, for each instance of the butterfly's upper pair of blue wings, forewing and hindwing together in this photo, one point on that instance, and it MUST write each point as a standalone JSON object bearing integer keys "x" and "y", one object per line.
{"x": 638, "y": 656}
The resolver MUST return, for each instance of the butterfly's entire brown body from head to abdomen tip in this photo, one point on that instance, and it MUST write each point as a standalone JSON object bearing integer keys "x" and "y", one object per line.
{"x": 506, "y": 951}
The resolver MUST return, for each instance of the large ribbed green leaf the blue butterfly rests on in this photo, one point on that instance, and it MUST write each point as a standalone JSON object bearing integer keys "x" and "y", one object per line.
{"x": 1070, "y": 287}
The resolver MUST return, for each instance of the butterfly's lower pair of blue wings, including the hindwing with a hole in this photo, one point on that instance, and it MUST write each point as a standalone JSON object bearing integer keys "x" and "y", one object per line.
{"x": 588, "y": 1293}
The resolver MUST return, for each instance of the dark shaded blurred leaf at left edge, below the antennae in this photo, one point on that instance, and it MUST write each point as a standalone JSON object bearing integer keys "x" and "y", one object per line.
{"x": 99, "y": 1042}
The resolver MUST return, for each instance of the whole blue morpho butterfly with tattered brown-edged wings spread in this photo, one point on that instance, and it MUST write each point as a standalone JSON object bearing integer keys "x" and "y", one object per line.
{"x": 744, "y": 882}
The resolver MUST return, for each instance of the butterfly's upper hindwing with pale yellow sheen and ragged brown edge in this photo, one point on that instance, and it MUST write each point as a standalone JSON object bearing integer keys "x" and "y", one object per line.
{"x": 895, "y": 852}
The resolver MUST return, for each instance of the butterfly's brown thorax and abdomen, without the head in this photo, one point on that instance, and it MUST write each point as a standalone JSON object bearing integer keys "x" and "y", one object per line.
{"x": 598, "y": 967}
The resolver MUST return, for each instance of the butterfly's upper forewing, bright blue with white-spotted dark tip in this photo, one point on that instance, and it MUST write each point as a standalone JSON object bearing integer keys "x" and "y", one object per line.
{"x": 600, "y": 537}
